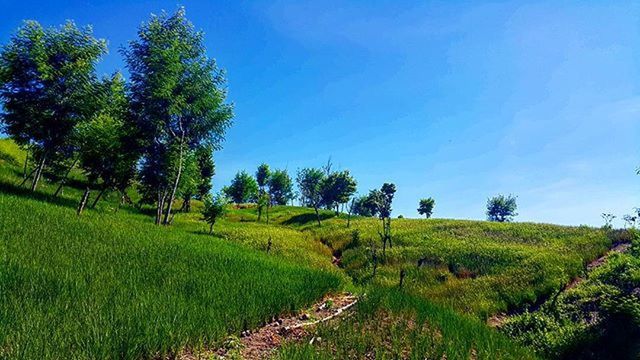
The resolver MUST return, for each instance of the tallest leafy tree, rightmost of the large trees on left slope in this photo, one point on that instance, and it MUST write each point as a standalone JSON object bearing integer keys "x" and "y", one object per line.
{"x": 177, "y": 98}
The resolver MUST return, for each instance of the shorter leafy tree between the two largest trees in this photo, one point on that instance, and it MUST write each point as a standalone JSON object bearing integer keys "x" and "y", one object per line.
{"x": 106, "y": 145}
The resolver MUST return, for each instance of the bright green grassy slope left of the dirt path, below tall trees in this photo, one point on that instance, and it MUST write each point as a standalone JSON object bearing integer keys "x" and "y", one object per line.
{"x": 112, "y": 285}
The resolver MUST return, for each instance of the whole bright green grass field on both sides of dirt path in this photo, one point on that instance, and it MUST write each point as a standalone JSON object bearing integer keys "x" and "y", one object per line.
{"x": 110, "y": 284}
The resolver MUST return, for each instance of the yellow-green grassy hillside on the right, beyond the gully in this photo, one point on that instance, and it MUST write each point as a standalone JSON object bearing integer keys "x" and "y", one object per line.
{"x": 477, "y": 267}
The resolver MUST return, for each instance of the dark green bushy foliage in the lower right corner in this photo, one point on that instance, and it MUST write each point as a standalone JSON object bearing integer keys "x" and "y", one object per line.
{"x": 598, "y": 318}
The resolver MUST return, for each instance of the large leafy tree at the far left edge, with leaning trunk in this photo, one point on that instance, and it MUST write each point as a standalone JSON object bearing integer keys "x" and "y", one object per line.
{"x": 46, "y": 87}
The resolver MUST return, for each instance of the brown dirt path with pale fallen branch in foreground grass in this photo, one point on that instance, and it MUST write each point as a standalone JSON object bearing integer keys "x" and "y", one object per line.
{"x": 263, "y": 342}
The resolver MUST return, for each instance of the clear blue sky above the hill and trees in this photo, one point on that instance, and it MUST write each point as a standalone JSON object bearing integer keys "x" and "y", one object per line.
{"x": 455, "y": 100}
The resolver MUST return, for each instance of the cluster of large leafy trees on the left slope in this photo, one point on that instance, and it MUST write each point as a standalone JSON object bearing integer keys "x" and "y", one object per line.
{"x": 159, "y": 128}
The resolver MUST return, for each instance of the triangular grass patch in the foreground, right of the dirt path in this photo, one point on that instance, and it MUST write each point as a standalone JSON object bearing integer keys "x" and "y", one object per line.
{"x": 392, "y": 324}
